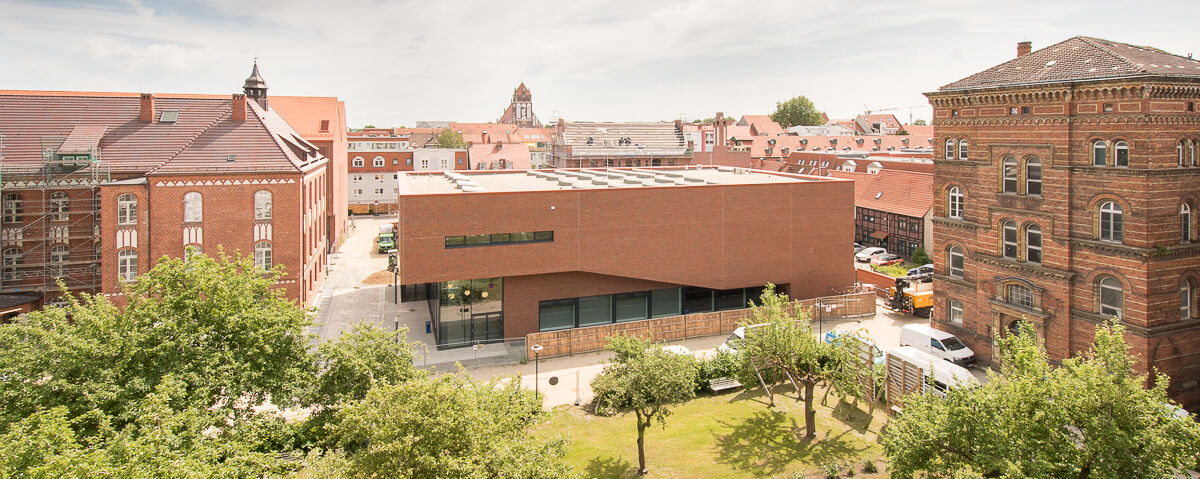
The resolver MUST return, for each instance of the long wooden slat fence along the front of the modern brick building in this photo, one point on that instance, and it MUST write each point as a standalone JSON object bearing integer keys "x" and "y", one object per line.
{"x": 584, "y": 340}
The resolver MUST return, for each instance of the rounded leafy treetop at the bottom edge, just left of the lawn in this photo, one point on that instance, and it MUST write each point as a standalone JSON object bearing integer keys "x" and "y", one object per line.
{"x": 447, "y": 427}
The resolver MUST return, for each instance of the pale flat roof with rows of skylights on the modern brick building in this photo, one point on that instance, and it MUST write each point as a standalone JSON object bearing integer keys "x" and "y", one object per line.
{"x": 482, "y": 182}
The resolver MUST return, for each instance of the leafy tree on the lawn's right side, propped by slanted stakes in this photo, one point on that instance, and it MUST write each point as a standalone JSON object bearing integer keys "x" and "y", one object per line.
{"x": 783, "y": 349}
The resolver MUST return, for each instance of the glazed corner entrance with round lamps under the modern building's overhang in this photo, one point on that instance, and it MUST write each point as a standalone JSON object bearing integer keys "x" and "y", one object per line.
{"x": 469, "y": 312}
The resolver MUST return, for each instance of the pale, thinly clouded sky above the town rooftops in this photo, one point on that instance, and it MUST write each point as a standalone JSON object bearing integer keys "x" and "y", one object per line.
{"x": 395, "y": 63}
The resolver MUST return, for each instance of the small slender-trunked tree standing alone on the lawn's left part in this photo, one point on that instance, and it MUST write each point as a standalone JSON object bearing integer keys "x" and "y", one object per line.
{"x": 645, "y": 379}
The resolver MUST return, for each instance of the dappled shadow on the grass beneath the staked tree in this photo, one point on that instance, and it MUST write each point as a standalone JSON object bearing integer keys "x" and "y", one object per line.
{"x": 770, "y": 441}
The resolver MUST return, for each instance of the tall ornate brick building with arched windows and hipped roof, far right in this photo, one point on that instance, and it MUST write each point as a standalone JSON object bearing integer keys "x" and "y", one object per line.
{"x": 1067, "y": 181}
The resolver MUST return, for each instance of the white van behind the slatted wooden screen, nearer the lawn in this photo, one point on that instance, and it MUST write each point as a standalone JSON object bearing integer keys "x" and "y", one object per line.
{"x": 916, "y": 372}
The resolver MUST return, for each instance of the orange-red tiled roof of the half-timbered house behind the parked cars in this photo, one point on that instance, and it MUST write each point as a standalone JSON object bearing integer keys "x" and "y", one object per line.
{"x": 893, "y": 191}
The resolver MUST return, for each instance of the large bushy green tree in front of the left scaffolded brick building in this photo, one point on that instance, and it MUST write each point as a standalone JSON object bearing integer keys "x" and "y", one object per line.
{"x": 217, "y": 325}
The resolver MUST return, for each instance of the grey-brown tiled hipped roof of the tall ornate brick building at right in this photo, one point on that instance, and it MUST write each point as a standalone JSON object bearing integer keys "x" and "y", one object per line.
{"x": 1082, "y": 59}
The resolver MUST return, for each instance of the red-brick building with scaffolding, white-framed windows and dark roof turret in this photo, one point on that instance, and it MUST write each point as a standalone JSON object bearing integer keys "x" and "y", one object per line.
{"x": 98, "y": 185}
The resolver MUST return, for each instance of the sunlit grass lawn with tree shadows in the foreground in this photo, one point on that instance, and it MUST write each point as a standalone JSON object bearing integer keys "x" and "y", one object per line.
{"x": 733, "y": 435}
